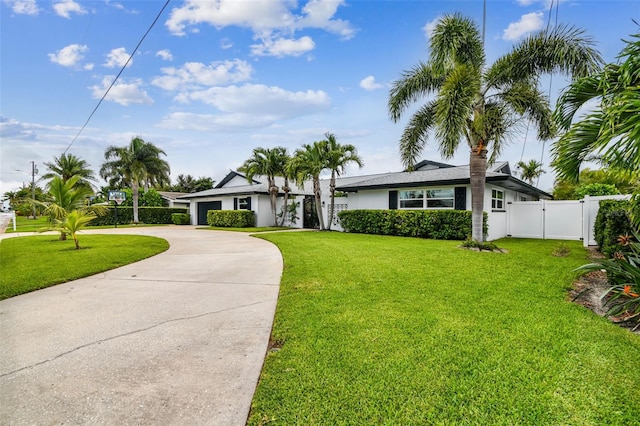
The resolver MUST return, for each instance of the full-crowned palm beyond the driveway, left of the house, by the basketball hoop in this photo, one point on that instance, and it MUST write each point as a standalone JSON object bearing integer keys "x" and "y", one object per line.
{"x": 138, "y": 163}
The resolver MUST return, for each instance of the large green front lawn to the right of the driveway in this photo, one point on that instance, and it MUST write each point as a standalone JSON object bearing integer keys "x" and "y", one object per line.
{"x": 389, "y": 330}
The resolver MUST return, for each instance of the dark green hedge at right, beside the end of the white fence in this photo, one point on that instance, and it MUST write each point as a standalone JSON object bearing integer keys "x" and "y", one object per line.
{"x": 611, "y": 222}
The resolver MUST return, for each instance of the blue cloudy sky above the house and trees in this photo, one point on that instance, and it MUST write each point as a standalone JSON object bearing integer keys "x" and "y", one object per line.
{"x": 215, "y": 79}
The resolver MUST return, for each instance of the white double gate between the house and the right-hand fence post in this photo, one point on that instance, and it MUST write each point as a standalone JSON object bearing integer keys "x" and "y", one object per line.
{"x": 545, "y": 219}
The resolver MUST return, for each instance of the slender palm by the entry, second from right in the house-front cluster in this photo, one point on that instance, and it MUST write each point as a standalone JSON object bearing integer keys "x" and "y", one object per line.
{"x": 307, "y": 163}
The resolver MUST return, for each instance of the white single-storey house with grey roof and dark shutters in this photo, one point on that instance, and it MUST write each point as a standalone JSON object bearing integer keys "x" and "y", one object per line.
{"x": 432, "y": 185}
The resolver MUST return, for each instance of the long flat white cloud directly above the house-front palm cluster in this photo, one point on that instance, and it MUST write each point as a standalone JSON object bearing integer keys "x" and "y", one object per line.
{"x": 260, "y": 100}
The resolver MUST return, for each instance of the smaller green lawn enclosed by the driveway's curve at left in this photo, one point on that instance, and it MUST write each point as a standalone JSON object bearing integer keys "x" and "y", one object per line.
{"x": 31, "y": 263}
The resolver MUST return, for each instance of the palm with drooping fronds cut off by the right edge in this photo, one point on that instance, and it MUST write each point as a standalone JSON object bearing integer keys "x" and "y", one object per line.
{"x": 611, "y": 131}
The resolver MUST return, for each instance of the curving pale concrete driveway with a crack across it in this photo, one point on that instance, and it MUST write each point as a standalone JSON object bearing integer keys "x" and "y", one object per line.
{"x": 177, "y": 339}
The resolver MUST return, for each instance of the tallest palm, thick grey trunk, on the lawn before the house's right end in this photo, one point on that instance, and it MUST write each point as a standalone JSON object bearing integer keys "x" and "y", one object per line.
{"x": 478, "y": 104}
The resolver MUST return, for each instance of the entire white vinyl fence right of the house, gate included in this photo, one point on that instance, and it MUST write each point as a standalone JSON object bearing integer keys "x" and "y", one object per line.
{"x": 558, "y": 220}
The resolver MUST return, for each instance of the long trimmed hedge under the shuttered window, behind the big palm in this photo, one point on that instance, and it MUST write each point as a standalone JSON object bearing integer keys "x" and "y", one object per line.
{"x": 435, "y": 224}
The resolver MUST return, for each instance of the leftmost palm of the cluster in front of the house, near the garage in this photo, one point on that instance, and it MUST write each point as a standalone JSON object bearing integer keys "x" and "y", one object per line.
{"x": 268, "y": 162}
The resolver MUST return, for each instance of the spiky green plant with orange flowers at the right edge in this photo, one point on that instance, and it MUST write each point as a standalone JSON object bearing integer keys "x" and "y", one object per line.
{"x": 623, "y": 274}
